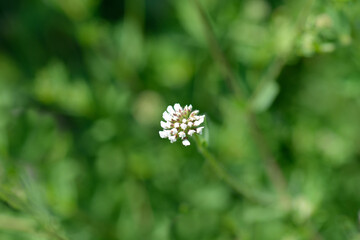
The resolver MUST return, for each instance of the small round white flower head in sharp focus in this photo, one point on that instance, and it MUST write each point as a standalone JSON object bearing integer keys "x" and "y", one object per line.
{"x": 181, "y": 123}
